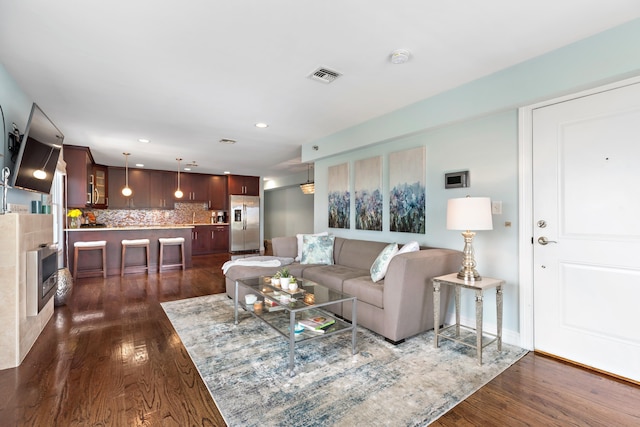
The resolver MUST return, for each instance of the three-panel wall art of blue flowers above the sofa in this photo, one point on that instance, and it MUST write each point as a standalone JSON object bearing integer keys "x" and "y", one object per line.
{"x": 407, "y": 193}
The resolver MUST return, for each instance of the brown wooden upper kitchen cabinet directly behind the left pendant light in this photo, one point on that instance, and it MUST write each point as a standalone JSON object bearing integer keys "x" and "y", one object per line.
{"x": 139, "y": 184}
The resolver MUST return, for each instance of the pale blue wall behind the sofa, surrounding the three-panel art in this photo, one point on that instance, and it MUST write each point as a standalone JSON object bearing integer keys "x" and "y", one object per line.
{"x": 475, "y": 127}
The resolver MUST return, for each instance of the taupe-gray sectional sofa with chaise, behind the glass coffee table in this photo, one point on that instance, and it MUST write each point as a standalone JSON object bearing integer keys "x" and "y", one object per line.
{"x": 398, "y": 307}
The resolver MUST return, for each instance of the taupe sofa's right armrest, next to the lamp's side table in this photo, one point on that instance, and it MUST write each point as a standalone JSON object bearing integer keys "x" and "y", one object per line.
{"x": 408, "y": 290}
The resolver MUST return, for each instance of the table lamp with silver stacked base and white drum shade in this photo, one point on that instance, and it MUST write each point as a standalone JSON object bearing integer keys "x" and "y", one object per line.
{"x": 469, "y": 213}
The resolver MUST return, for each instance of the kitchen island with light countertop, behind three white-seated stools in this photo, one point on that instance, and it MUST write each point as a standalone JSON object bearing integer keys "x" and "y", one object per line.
{"x": 114, "y": 235}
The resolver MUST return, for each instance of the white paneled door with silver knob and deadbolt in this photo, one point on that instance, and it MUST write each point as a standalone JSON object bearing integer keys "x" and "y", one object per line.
{"x": 586, "y": 203}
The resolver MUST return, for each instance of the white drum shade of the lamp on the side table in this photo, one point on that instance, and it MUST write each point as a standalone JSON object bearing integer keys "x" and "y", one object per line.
{"x": 469, "y": 213}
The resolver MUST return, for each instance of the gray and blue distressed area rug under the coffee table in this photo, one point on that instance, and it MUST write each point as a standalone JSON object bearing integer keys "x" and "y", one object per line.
{"x": 245, "y": 369}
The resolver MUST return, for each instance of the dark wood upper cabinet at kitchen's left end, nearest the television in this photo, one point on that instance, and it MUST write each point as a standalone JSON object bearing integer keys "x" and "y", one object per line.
{"x": 79, "y": 170}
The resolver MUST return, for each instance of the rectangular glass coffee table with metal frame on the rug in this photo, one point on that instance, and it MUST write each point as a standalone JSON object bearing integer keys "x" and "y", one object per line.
{"x": 282, "y": 310}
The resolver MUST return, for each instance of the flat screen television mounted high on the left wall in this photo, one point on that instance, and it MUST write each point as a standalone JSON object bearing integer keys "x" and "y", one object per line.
{"x": 39, "y": 152}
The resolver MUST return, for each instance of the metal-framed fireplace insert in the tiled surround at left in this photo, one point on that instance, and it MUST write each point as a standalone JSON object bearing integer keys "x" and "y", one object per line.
{"x": 42, "y": 265}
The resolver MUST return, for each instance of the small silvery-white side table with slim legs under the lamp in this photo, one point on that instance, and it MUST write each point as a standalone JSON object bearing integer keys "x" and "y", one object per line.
{"x": 479, "y": 287}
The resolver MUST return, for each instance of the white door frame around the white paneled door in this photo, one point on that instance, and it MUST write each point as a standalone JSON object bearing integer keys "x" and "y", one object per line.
{"x": 525, "y": 204}
